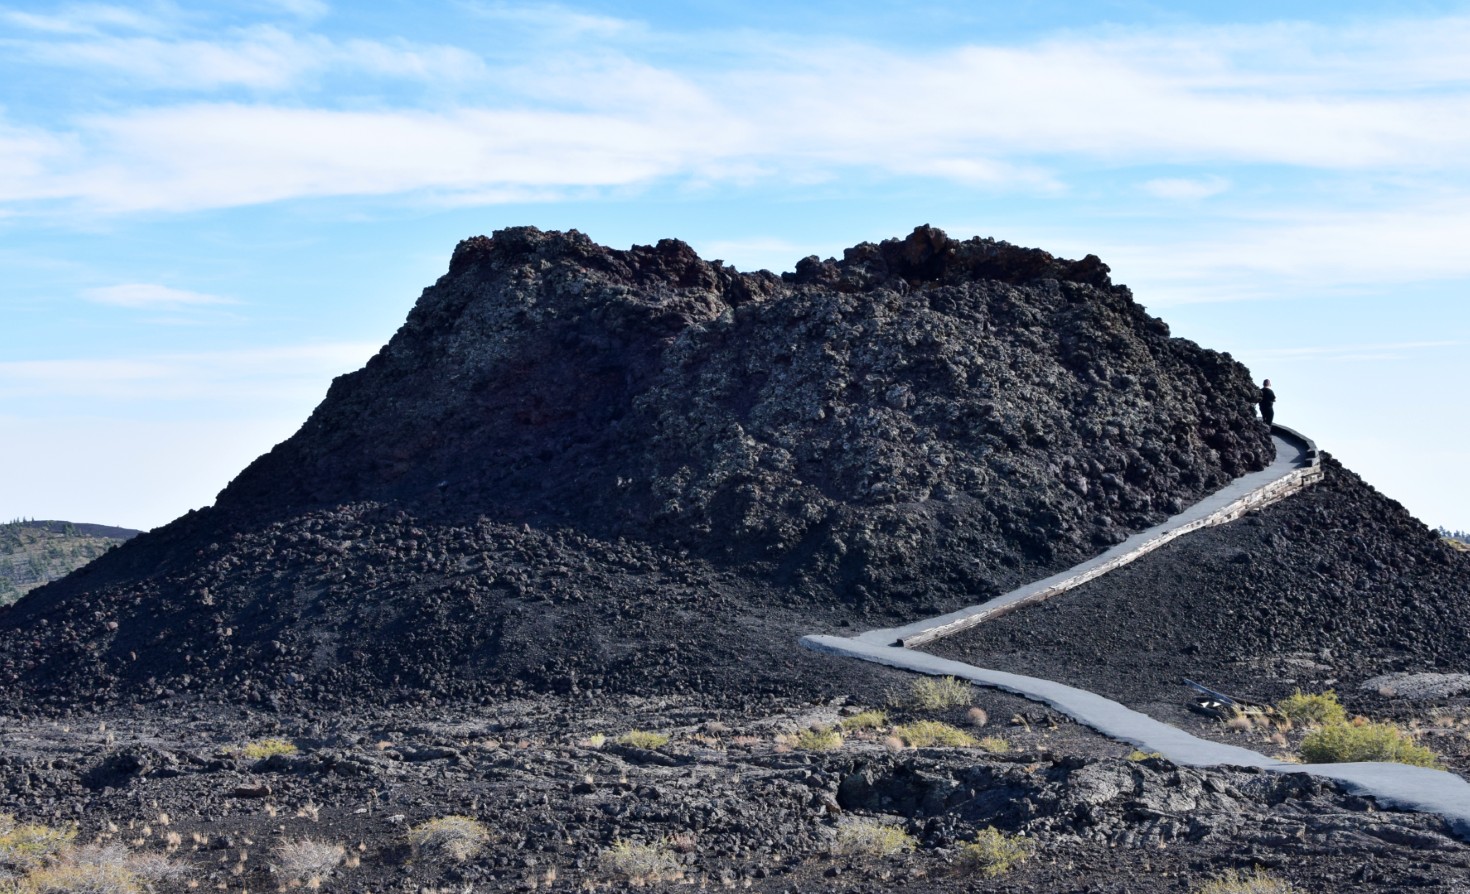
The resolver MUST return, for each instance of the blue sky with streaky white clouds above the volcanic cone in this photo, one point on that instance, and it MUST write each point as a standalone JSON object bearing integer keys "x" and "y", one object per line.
{"x": 209, "y": 211}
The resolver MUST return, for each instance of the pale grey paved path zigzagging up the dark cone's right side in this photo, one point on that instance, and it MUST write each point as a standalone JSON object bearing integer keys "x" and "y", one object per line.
{"x": 1296, "y": 467}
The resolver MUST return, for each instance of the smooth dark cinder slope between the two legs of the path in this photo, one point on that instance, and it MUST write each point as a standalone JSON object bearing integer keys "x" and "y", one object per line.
{"x": 1337, "y": 587}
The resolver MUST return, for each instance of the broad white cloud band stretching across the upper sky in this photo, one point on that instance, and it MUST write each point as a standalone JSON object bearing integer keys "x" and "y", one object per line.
{"x": 993, "y": 117}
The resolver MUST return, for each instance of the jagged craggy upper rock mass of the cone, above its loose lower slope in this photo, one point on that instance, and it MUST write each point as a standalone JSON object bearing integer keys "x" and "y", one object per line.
{"x": 864, "y": 423}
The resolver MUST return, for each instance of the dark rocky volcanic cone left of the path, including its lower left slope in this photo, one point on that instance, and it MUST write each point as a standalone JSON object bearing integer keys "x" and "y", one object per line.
{"x": 917, "y": 426}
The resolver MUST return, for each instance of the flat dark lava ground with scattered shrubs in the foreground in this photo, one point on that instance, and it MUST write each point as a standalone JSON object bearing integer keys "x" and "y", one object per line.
{"x": 730, "y": 802}
